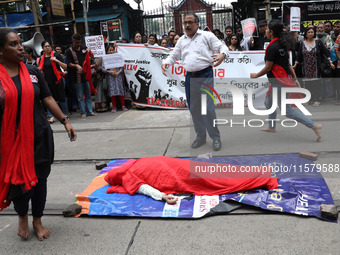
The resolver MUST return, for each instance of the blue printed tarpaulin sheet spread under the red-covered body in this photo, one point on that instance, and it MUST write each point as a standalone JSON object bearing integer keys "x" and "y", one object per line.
{"x": 301, "y": 191}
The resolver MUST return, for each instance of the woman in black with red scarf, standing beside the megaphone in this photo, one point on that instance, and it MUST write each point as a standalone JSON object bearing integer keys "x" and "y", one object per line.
{"x": 49, "y": 64}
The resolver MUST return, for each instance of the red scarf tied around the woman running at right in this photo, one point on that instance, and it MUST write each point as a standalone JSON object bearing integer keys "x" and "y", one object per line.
{"x": 281, "y": 75}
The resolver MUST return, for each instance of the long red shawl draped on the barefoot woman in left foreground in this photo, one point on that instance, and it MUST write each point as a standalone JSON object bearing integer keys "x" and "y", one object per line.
{"x": 17, "y": 145}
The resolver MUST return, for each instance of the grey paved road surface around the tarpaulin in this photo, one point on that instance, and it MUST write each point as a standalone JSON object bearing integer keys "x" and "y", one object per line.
{"x": 139, "y": 133}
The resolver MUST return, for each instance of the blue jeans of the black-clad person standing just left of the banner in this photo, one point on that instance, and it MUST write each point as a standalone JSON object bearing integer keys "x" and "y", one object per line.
{"x": 84, "y": 106}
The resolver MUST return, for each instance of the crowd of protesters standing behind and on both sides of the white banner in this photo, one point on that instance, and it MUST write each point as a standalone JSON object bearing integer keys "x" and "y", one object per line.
{"x": 312, "y": 47}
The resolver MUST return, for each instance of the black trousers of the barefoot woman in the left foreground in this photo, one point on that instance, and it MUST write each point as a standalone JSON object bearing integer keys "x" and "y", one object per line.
{"x": 37, "y": 195}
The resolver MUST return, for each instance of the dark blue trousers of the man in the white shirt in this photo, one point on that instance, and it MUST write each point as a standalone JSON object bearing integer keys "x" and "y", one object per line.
{"x": 202, "y": 123}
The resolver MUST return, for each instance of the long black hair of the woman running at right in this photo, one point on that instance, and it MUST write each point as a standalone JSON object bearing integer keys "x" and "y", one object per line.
{"x": 287, "y": 42}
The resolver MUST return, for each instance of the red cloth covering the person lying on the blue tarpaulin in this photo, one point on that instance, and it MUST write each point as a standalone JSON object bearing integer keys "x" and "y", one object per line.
{"x": 172, "y": 175}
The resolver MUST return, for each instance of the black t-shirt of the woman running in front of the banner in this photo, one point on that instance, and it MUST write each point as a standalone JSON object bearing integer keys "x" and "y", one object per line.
{"x": 279, "y": 56}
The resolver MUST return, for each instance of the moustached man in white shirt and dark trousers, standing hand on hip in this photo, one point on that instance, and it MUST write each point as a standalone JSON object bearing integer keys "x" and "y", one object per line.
{"x": 196, "y": 49}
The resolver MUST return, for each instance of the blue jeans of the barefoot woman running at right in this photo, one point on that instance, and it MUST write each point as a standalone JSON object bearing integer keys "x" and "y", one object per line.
{"x": 290, "y": 112}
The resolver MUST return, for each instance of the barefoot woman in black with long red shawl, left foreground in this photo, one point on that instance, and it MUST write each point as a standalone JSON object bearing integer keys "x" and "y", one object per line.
{"x": 26, "y": 146}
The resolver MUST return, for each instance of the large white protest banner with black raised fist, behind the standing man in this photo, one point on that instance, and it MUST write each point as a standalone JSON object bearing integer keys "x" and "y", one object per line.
{"x": 147, "y": 85}
